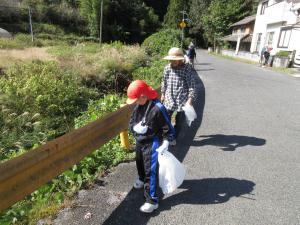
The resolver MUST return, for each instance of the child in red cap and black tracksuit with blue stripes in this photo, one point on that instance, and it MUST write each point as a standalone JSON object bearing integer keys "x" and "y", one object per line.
{"x": 152, "y": 130}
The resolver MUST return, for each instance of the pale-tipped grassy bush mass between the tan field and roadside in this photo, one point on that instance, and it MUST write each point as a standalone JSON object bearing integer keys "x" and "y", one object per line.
{"x": 107, "y": 67}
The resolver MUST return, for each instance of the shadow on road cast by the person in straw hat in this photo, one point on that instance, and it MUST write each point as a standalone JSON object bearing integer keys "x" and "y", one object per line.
{"x": 229, "y": 142}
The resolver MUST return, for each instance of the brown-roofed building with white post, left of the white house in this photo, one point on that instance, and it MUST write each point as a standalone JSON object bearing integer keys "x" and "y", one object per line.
{"x": 241, "y": 37}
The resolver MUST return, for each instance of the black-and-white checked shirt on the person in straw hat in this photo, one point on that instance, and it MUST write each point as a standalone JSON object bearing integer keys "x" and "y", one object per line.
{"x": 177, "y": 86}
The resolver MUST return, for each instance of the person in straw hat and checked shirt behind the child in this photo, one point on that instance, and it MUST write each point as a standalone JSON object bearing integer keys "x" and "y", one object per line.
{"x": 178, "y": 86}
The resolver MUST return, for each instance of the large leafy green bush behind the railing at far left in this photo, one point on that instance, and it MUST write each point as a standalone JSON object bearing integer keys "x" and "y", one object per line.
{"x": 41, "y": 87}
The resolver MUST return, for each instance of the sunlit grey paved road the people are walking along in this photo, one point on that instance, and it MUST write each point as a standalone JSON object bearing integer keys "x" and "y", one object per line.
{"x": 242, "y": 157}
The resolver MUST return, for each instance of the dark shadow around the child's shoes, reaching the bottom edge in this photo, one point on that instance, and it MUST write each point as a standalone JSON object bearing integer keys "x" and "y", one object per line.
{"x": 205, "y": 191}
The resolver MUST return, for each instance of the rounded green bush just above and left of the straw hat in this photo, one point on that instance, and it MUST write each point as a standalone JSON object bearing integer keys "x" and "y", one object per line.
{"x": 159, "y": 43}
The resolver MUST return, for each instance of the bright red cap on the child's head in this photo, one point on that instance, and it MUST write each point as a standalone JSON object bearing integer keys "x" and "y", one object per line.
{"x": 139, "y": 88}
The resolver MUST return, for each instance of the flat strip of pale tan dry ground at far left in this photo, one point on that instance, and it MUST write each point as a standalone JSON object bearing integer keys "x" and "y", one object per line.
{"x": 26, "y": 54}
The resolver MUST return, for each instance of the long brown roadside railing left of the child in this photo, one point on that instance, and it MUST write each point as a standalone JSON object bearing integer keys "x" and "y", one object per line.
{"x": 24, "y": 174}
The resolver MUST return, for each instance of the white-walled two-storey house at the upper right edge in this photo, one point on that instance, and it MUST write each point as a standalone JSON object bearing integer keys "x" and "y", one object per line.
{"x": 277, "y": 25}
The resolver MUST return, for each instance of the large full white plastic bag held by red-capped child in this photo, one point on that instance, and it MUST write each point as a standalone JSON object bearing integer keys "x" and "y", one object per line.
{"x": 171, "y": 172}
